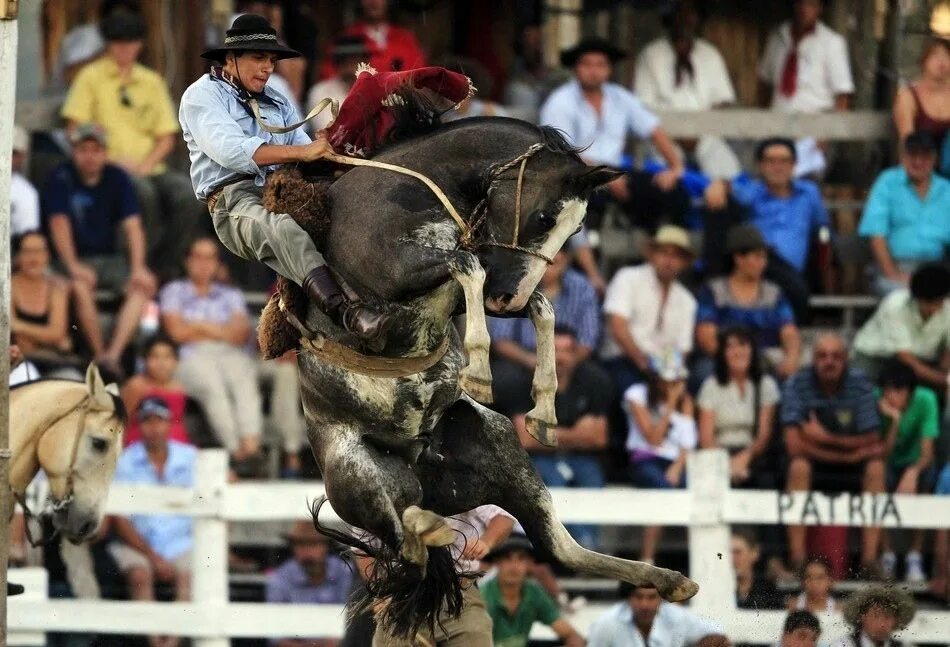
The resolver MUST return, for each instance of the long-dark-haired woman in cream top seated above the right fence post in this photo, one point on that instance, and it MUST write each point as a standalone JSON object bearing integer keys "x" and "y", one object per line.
{"x": 737, "y": 405}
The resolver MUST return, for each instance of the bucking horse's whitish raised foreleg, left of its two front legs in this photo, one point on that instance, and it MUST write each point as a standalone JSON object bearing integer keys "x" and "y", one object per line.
{"x": 475, "y": 378}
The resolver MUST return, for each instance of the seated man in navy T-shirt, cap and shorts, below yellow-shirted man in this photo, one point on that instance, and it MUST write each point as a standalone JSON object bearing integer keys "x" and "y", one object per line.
{"x": 84, "y": 201}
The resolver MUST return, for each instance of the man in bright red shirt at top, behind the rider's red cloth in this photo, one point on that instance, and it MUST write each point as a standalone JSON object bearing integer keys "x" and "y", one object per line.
{"x": 392, "y": 48}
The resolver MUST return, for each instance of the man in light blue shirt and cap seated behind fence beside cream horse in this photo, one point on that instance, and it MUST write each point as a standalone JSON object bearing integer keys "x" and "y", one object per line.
{"x": 155, "y": 548}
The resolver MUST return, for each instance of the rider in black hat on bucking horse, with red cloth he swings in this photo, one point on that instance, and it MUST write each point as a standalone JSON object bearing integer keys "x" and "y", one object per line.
{"x": 232, "y": 151}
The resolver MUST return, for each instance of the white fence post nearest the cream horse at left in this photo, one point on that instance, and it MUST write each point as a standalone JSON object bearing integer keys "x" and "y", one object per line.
{"x": 209, "y": 557}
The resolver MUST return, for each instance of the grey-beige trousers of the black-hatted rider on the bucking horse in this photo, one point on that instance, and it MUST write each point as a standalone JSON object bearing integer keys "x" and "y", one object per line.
{"x": 256, "y": 234}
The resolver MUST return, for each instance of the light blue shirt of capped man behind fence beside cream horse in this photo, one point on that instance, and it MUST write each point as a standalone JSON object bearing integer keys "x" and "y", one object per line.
{"x": 168, "y": 535}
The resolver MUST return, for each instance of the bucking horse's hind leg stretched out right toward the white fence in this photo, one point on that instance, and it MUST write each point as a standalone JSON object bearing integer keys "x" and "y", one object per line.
{"x": 485, "y": 463}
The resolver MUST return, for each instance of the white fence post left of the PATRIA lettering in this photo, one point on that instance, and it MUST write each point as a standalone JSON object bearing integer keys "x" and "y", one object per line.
{"x": 710, "y": 560}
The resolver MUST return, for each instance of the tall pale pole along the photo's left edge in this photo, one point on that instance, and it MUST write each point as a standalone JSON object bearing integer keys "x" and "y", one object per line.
{"x": 8, "y": 38}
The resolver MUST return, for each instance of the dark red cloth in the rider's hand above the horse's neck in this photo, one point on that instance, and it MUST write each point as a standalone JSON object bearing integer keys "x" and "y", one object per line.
{"x": 365, "y": 118}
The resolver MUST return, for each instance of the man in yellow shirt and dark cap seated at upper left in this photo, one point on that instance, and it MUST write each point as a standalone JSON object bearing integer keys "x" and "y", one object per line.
{"x": 132, "y": 104}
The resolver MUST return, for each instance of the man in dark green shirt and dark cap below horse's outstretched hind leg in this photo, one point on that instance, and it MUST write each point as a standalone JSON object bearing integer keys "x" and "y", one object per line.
{"x": 515, "y": 602}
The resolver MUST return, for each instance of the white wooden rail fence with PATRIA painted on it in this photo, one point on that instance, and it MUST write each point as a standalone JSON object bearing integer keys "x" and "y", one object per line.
{"x": 707, "y": 508}
